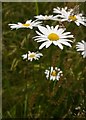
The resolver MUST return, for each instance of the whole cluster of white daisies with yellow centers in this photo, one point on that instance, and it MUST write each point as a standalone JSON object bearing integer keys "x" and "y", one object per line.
{"x": 56, "y": 35}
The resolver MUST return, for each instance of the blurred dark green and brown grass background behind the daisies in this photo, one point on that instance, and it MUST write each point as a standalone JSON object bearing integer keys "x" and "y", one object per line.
{"x": 26, "y": 92}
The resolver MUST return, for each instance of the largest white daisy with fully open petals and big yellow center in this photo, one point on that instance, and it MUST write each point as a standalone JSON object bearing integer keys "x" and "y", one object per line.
{"x": 50, "y": 35}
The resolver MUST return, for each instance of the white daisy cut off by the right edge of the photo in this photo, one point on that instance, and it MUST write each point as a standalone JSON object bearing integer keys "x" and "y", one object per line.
{"x": 81, "y": 46}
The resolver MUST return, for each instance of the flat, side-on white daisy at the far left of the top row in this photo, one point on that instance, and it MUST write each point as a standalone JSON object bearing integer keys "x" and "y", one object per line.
{"x": 29, "y": 24}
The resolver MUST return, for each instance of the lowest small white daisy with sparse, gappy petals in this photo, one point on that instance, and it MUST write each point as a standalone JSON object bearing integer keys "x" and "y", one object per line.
{"x": 53, "y": 73}
